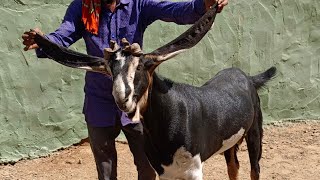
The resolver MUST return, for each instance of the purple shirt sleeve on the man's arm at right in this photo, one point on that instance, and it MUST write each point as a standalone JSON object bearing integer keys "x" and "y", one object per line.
{"x": 187, "y": 12}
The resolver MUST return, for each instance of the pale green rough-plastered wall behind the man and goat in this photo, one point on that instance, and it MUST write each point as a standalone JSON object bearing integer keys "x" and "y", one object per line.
{"x": 41, "y": 101}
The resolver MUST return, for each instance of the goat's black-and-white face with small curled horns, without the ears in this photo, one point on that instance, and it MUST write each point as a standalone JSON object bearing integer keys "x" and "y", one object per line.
{"x": 131, "y": 74}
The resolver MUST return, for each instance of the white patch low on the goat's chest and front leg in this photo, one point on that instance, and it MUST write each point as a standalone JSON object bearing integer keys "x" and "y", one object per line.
{"x": 184, "y": 166}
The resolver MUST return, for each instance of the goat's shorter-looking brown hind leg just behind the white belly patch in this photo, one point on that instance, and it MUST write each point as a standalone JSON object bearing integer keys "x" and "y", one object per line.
{"x": 232, "y": 162}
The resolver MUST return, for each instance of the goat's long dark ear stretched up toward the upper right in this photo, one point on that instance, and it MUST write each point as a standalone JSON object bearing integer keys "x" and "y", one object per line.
{"x": 186, "y": 40}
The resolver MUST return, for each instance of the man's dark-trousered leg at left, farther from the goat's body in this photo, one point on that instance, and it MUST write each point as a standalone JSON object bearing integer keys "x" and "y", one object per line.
{"x": 102, "y": 141}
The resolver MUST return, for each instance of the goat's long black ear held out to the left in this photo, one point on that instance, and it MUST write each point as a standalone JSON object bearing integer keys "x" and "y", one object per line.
{"x": 71, "y": 58}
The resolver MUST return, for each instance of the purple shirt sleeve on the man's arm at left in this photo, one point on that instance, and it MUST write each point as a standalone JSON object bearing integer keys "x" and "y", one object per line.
{"x": 70, "y": 30}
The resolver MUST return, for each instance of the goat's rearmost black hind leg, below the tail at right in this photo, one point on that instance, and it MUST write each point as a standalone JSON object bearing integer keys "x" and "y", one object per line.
{"x": 254, "y": 143}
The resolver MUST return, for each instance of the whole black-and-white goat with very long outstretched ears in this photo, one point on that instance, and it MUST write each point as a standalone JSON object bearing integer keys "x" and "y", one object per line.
{"x": 183, "y": 125}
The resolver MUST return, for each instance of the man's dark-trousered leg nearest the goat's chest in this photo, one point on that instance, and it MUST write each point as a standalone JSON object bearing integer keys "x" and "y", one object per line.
{"x": 134, "y": 135}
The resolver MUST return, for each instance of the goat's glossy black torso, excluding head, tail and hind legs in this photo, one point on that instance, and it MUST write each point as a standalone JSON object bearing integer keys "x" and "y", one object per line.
{"x": 202, "y": 120}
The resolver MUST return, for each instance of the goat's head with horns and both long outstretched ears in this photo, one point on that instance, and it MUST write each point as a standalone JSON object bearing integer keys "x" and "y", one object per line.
{"x": 130, "y": 69}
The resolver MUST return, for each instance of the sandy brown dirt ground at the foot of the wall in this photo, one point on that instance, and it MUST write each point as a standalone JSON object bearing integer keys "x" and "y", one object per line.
{"x": 291, "y": 151}
